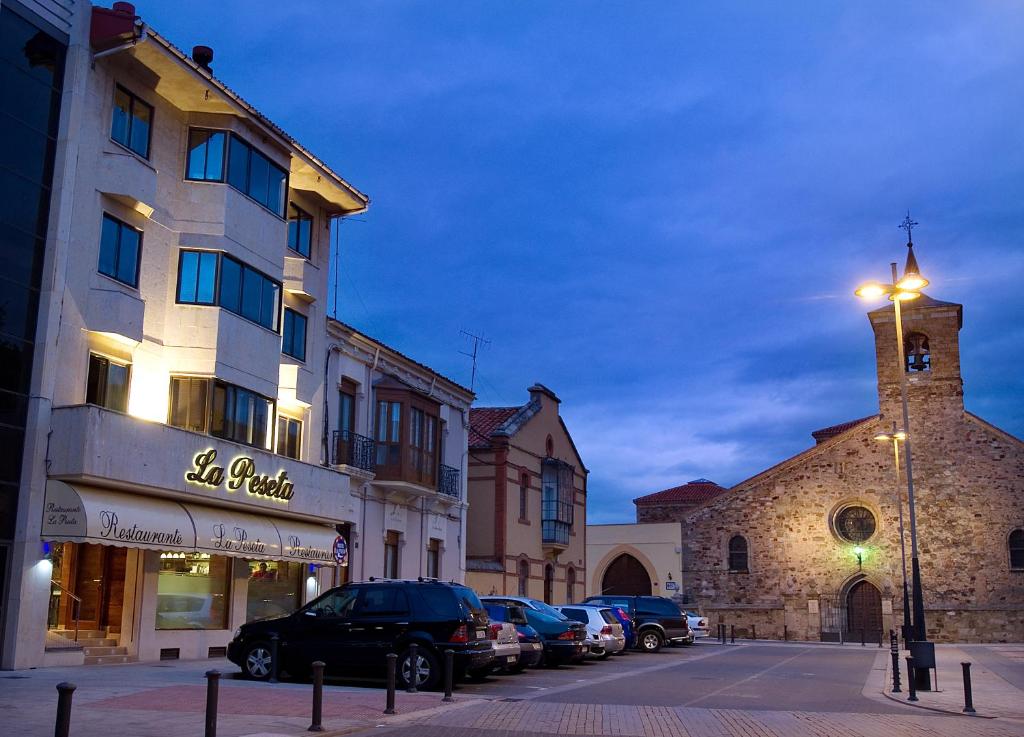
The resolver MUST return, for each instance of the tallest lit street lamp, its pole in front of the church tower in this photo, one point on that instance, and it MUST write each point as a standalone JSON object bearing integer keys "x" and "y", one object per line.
{"x": 902, "y": 290}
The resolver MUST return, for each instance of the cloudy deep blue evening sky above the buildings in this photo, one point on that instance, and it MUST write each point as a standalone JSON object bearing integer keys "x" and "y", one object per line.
{"x": 658, "y": 209}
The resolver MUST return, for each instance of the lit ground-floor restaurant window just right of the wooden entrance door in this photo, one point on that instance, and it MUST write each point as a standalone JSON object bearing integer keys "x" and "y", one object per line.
{"x": 193, "y": 591}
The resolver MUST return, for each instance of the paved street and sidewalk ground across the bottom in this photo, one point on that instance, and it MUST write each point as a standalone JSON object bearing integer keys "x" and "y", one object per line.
{"x": 748, "y": 690}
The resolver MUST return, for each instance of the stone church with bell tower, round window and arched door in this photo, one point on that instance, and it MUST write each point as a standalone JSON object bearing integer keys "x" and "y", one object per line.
{"x": 812, "y": 547}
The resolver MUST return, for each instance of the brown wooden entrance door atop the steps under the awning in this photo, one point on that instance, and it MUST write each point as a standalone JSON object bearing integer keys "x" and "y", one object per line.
{"x": 100, "y": 583}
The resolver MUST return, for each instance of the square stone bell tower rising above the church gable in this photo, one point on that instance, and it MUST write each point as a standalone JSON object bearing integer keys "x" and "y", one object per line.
{"x": 931, "y": 355}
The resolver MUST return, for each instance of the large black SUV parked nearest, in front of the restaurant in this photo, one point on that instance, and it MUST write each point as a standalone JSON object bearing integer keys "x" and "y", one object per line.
{"x": 353, "y": 628}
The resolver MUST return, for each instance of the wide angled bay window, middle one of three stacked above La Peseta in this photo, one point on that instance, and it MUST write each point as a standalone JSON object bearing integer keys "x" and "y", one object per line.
{"x": 208, "y": 278}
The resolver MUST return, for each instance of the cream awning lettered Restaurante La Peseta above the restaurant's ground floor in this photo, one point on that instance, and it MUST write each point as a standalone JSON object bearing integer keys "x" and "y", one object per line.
{"x": 74, "y": 513}
